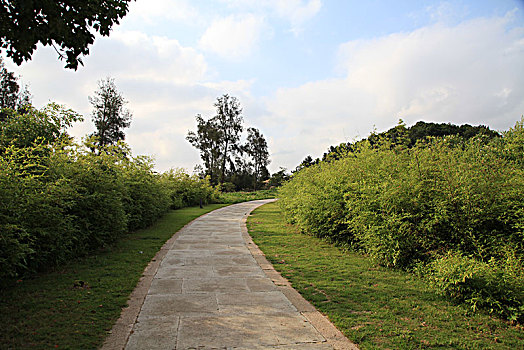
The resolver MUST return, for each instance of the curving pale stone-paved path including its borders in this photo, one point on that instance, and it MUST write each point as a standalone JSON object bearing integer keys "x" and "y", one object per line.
{"x": 214, "y": 289}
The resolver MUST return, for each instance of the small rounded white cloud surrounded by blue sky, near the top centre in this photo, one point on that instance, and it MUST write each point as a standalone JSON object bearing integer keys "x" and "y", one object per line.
{"x": 233, "y": 37}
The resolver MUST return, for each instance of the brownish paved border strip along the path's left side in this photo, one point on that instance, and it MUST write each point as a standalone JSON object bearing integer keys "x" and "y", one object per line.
{"x": 119, "y": 334}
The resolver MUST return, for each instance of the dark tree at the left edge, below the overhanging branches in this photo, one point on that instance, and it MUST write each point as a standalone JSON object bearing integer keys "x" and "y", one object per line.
{"x": 10, "y": 94}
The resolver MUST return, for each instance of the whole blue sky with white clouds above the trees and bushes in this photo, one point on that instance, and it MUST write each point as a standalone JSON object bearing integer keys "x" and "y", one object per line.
{"x": 308, "y": 73}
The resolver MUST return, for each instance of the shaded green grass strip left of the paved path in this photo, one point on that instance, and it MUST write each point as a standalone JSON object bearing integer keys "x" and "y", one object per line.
{"x": 76, "y": 305}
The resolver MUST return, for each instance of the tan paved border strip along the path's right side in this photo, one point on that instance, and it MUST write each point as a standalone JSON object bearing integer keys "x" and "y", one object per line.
{"x": 321, "y": 323}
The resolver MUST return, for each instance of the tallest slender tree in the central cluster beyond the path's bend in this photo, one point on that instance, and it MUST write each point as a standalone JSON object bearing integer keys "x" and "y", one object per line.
{"x": 229, "y": 120}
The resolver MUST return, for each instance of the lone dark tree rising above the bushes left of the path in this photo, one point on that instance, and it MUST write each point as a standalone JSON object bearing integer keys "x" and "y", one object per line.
{"x": 109, "y": 114}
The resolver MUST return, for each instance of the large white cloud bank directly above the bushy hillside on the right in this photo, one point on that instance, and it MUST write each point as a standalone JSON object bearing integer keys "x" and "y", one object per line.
{"x": 468, "y": 73}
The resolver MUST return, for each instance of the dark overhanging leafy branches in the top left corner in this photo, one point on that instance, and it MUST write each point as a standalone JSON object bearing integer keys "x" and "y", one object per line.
{"x": 64, "y": 24}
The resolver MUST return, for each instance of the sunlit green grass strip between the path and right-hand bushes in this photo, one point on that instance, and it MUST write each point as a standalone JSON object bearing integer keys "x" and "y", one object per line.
{"x": 375, "y": 307}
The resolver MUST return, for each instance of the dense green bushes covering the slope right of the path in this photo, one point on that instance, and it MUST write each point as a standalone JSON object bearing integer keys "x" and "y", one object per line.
{"x": 448, "y": 207}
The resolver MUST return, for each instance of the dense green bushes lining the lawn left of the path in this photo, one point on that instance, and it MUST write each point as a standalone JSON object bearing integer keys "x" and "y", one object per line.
{"x": 59, "y": 200}
